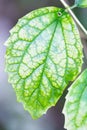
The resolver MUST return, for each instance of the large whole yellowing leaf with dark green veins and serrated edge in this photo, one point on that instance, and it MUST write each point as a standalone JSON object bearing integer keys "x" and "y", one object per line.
{"x": 44, "y": 53}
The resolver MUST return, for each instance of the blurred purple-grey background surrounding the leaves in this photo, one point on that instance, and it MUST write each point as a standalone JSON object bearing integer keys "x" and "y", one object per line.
{"x": 12, "y": 114}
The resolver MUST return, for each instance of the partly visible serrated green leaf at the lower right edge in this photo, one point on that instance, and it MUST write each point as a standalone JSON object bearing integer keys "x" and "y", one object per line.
{"x": 75, "y": 108}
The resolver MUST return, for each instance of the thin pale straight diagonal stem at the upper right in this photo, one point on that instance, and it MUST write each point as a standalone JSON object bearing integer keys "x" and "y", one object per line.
{"x": 73, "y": 15}
